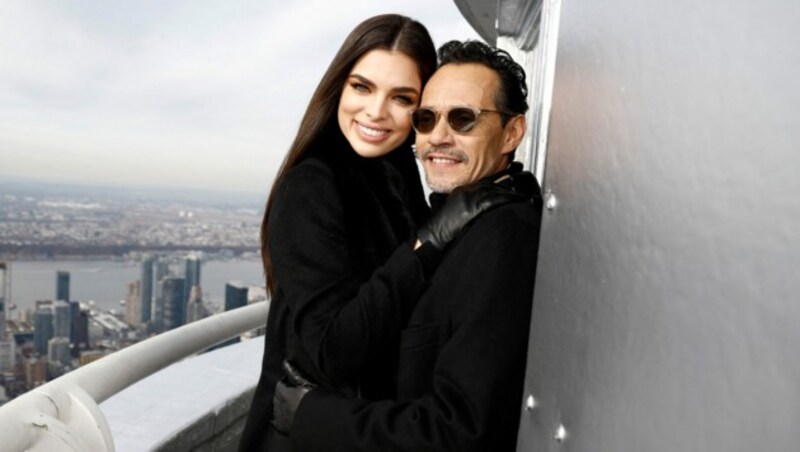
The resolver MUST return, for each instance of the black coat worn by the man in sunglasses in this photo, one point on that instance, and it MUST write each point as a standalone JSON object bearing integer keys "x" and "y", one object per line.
{"x": 462, "y": 355}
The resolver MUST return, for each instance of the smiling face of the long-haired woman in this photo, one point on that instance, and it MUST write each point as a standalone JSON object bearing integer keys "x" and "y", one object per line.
{"x": 381, "y": 90}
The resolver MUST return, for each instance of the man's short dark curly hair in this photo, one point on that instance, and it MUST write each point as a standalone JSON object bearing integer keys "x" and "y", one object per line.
{"x": 513, "y": 93}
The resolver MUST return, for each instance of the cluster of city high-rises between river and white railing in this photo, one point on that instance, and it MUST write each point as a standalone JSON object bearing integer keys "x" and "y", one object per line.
{"x": 57, "y": 334}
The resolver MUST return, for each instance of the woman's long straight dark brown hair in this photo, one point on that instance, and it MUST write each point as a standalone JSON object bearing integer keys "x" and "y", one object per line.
{"x": 385, "y": 32}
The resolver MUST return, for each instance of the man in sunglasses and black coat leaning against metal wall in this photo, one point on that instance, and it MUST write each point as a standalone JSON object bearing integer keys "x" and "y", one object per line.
{"x": 462, "y": 356}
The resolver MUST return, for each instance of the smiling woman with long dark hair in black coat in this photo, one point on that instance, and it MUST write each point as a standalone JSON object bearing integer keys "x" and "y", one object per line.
{"x": 338, "y": 232}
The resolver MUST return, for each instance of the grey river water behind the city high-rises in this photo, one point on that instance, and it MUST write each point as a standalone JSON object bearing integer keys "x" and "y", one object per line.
{"x": 105, "y": 281}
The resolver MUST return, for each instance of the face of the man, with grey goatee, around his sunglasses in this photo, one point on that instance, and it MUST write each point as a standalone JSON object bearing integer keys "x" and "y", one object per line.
{"x": 450, "y": 158}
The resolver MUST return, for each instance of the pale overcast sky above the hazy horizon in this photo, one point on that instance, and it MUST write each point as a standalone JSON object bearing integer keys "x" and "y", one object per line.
{"x": 184, "y": 93}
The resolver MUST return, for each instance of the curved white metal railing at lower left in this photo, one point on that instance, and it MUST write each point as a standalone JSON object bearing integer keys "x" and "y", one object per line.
{"x": 63, "y": 415}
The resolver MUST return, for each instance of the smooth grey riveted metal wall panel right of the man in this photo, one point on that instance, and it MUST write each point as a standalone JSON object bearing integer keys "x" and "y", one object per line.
{"x": 667, "y": 306}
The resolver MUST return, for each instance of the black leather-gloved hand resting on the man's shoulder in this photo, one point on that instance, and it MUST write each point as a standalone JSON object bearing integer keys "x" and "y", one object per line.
{"x": 464, "y": 204}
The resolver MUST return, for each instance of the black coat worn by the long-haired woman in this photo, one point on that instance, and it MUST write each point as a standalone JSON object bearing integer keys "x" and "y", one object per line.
{"x": 335, "y": 219}
